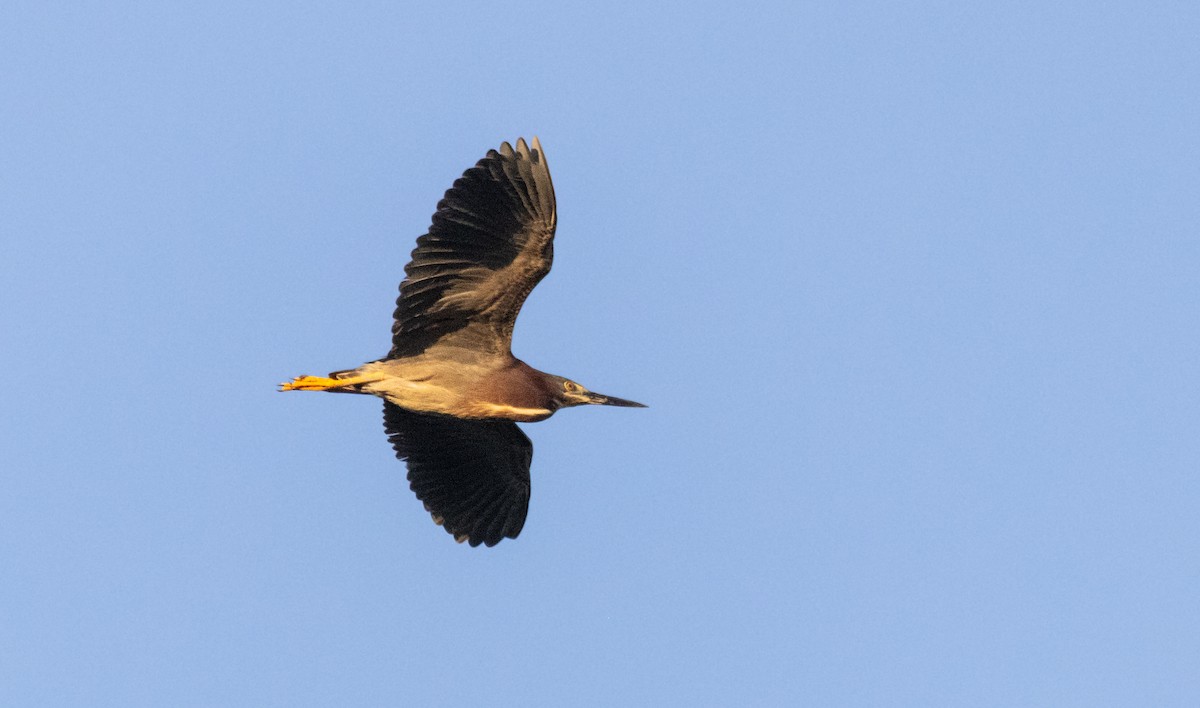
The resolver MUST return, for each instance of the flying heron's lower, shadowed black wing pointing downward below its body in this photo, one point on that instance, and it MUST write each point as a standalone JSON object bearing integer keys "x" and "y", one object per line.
{"x": 473, "y": 476}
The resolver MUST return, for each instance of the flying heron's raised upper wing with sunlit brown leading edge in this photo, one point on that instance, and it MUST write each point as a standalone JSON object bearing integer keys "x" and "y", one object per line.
{"x": 490, "y": 244}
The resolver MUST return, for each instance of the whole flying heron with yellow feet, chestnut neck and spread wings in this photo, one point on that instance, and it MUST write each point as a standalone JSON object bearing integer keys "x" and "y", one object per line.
{"x": 452, "y": 388}
